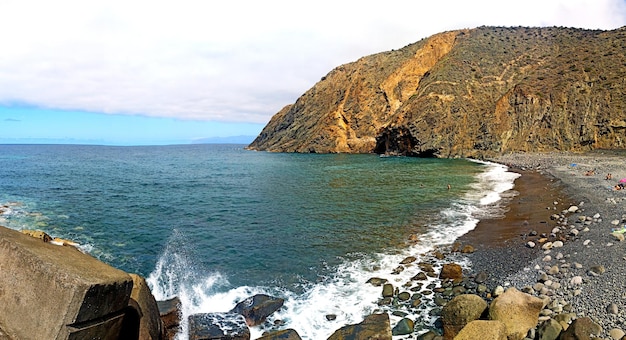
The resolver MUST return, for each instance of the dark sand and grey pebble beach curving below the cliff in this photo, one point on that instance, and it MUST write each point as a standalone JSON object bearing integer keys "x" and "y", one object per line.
{"x": 550, "y": 184}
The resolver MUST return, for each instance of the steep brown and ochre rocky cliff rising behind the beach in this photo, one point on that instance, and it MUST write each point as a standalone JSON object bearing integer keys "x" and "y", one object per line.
{"x": 467, "y": 93}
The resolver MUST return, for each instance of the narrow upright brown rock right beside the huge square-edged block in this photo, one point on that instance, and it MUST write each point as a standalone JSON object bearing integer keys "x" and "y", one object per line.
{"x": 143, "y": 306}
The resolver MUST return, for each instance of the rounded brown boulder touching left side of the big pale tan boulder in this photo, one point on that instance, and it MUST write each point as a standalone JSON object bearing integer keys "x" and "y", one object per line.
{"x": 460, "y": 311}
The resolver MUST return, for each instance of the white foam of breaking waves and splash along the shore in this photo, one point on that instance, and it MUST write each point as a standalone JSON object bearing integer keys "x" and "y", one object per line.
{"x": 345, "y": 294}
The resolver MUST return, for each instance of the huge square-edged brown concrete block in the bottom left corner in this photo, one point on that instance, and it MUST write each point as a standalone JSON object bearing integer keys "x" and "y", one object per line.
{"x": 52, "y": 292}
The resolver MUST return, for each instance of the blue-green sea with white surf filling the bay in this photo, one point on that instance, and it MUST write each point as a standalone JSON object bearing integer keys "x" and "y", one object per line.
{"x": 215, "y": 224}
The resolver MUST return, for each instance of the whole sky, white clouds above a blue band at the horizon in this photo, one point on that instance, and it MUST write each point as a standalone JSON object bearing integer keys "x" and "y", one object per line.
{"x": 137, "y": 72}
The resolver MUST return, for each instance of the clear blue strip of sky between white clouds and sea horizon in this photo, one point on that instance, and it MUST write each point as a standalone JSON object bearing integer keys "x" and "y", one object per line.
{"x": 39, "y": 126}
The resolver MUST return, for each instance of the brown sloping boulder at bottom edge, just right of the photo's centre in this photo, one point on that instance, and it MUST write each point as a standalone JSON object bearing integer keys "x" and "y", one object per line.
{"x": 374, "y": 327}
